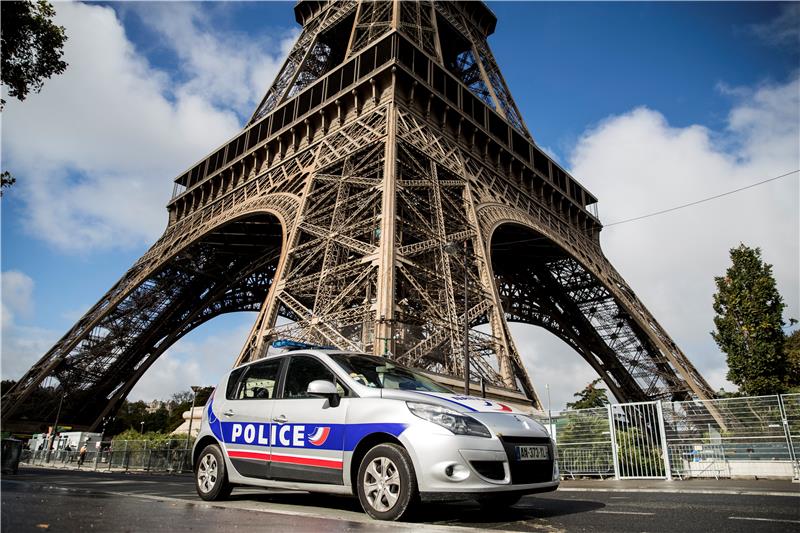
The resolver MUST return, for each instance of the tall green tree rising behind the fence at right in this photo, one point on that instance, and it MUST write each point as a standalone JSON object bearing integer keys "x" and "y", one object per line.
{"x": 749, "y": 323}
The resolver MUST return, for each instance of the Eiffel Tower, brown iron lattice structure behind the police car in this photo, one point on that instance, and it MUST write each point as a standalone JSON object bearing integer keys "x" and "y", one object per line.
{"x": 386, "y": 196}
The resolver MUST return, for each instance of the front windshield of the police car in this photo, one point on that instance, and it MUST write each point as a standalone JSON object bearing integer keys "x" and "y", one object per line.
{"x": 383, "y": 374}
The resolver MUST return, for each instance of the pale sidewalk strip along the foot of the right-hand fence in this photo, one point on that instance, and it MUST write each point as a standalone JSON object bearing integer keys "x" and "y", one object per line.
{"x": 765, "y": 487}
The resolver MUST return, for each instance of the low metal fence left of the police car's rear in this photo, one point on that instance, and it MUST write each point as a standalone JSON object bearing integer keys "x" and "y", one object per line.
{"x": 165, "y": 456}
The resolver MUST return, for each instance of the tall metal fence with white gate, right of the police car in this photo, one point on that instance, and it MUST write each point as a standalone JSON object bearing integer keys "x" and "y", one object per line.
{"x": 733, "y": 437}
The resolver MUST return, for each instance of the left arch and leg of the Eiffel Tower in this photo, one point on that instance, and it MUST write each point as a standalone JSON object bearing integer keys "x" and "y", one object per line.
{"x": 181, "y": 283}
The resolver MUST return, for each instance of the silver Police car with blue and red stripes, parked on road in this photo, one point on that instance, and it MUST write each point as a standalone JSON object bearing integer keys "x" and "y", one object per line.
{"x": 349, "y": 423}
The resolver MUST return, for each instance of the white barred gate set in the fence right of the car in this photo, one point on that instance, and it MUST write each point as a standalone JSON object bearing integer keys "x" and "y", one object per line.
{"x": 639, "y": 441}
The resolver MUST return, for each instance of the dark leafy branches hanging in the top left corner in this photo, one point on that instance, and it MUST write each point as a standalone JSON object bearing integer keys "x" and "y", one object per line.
{"x": 32, "y": 46}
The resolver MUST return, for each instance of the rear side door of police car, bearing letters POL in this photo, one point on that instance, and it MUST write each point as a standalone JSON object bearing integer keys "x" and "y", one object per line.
{"x": 245, "y": 418}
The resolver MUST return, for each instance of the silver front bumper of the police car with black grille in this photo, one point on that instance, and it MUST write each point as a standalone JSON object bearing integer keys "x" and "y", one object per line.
{"x": 456, "y": 467}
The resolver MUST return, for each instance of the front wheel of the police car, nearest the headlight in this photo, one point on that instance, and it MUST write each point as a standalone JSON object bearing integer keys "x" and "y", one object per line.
{"x": 386, "y": 483}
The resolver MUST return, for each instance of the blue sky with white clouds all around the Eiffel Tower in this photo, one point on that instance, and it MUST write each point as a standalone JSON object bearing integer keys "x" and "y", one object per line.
{"x": 650, "y": 105}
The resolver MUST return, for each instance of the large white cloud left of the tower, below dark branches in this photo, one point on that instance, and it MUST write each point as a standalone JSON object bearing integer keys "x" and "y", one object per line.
{"x": 96, "y": 151}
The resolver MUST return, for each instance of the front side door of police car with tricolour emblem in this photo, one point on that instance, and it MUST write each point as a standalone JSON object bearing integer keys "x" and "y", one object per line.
{"x": 308, "y": 432}
